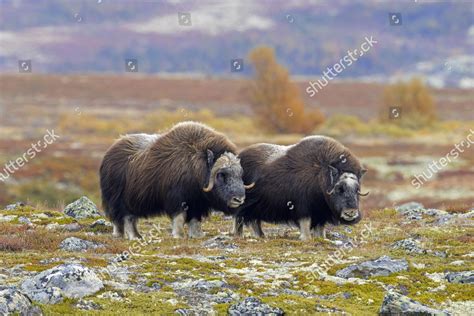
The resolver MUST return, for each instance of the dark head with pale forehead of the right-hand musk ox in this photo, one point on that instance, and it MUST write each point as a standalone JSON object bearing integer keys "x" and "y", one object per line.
{"x": 343, "y": 195}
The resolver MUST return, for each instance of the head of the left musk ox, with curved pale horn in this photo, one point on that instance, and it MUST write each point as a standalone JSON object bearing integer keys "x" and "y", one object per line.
{"x": 225, "y": 179}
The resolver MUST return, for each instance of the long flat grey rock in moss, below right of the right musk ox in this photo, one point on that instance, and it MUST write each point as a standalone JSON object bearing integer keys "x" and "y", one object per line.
{"x": 382, "y": 266}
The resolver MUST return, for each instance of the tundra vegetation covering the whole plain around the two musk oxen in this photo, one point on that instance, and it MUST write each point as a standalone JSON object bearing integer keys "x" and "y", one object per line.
{"x": 216, "y": 272}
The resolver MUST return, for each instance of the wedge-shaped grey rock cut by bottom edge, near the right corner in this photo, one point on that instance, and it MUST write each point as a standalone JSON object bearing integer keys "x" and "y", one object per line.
{"x": 397, "y": 304}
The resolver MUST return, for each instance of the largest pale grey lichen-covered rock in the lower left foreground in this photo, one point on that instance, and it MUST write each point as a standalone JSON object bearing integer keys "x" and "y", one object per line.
{"x": 67, "y": 280}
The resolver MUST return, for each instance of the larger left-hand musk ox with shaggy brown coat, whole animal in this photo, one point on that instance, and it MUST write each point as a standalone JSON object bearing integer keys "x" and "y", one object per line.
{"x": 183, "y": 173}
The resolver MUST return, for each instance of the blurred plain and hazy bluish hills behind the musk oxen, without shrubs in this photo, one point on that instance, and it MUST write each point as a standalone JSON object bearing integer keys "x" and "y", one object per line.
{"x": 79, "y": 85}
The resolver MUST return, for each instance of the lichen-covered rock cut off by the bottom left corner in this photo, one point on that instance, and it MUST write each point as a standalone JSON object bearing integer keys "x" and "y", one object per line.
{"x": 13, "y": 301}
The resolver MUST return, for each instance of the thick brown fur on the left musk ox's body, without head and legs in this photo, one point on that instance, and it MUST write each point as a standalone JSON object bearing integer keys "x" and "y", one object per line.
{"x": 144, "y": 175}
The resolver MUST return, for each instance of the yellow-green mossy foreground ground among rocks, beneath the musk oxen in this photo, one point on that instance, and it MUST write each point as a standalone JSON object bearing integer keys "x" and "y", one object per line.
{"x": 255, "y": 267}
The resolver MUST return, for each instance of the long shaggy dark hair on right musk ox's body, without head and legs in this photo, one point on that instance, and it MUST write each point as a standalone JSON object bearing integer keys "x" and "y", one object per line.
{"x": 291, "y": 181}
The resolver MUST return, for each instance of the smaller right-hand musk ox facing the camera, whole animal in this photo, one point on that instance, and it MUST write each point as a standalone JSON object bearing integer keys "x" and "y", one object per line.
{"x": 309, "y": 184}
